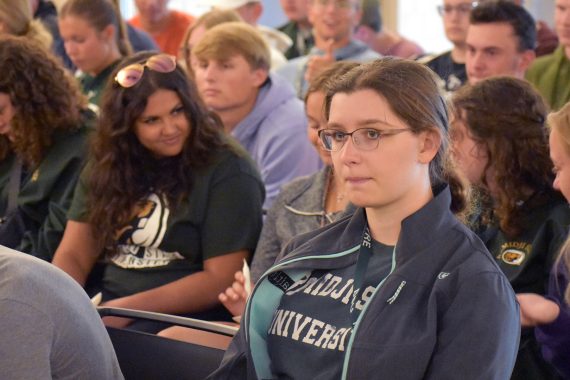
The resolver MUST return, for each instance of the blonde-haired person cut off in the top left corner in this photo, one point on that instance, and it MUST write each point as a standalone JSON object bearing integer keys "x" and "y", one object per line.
{"x": 16, "y": 19}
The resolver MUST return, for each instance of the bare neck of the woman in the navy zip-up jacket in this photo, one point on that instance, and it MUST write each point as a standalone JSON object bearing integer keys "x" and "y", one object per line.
{"x": 385, "y": 222}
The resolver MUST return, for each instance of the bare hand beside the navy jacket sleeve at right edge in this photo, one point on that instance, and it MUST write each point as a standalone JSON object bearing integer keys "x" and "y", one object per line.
{"x": 536, "y": 310}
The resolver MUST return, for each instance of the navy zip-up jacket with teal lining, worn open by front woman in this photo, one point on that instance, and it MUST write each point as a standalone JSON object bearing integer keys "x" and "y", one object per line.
{"x": 445, "y": 311}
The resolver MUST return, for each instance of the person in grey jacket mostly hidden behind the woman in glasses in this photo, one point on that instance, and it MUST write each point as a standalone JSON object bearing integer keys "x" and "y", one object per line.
{"x": 303, "y": 205}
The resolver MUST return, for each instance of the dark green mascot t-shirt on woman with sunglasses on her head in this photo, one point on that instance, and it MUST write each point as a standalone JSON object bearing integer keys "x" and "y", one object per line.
{"x": 222, "y": 214}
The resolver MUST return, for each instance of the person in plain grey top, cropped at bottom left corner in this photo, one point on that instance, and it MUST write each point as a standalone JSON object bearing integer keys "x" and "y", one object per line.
{"x": 50, "y": 329}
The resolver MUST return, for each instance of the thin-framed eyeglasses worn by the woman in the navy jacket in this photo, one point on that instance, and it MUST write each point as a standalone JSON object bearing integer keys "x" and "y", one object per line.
{"x": 364, "y": 138}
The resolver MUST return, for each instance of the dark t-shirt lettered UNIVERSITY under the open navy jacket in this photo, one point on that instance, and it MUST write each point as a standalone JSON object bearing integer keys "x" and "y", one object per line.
{"x": 312, "y": 325}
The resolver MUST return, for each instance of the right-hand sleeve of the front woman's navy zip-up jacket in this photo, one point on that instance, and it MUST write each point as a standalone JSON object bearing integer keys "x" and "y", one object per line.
{"x": 478, "y": 334}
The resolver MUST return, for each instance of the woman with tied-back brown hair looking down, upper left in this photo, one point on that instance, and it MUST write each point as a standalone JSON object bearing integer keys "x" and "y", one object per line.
{"x": 95, "y": 40}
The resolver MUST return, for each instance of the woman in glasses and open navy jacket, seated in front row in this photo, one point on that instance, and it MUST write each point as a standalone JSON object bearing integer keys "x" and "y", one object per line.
{"x": 401, "y": 289}
